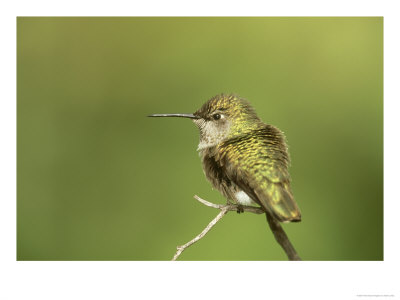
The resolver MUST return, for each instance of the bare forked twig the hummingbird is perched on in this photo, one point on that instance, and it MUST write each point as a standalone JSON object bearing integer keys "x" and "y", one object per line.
{"x": 276, "y": 228}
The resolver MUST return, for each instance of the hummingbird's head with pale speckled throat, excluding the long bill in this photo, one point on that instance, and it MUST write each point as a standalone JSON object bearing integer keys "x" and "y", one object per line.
{"x": 224, "y": 117}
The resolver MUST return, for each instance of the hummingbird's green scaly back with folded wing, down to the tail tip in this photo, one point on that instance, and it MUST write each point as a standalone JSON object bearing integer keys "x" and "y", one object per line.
{"x": 258, "y": 164}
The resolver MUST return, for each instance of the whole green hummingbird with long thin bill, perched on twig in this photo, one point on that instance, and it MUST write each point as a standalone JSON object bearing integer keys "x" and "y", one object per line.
{"x": 244, "y": 158}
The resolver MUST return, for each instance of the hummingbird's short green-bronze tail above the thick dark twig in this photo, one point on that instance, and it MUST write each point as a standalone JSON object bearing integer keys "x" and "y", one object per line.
{"x": 277, "y": 199}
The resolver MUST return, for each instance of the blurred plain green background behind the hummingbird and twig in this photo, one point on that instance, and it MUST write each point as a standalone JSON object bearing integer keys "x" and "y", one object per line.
{"x": 97, "y": 180}
